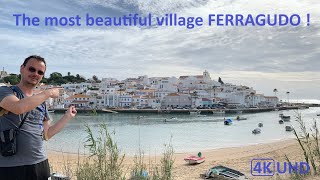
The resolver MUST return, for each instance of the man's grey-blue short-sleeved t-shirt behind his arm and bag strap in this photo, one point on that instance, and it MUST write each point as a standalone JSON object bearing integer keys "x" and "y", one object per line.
{"x": 30, "y": 149}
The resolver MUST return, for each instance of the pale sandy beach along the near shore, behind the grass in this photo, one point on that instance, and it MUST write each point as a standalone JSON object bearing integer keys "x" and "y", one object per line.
{"x": 237, "y": 158}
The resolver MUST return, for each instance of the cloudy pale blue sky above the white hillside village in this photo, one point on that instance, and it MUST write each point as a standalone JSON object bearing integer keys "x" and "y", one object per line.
{"x": 285, "y": 58}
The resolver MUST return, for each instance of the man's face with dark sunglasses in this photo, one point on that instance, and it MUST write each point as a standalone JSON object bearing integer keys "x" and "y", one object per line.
{"x": 33, "y": 72}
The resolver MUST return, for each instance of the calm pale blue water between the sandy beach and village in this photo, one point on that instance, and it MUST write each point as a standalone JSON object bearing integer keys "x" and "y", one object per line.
{"x": 186, "y": 133}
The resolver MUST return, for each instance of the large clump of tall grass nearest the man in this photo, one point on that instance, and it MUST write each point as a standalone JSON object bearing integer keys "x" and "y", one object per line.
{"x": 105, "y": 160}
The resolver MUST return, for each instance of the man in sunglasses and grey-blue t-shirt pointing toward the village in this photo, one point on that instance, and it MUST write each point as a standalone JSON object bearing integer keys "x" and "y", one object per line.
{"x": 30, "y": 161}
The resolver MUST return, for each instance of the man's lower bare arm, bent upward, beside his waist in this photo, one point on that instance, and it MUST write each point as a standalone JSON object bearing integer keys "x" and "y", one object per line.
{"x": 50, "y": 131}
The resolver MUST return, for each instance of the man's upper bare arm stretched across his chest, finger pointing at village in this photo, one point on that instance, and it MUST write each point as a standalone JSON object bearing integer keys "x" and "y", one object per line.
{"x": 20, "y": 106}
